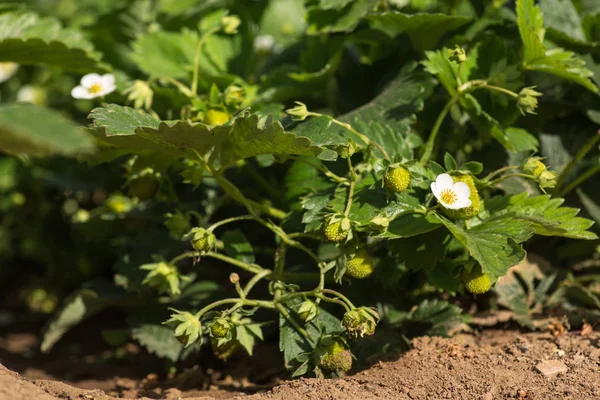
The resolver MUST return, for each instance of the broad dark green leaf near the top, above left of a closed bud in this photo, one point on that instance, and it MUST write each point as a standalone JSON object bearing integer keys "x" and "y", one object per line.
{"x": 425, "y": 30}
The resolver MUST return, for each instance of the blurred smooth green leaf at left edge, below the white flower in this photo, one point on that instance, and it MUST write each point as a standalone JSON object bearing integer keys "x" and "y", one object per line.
{"x": 39, "y": 132}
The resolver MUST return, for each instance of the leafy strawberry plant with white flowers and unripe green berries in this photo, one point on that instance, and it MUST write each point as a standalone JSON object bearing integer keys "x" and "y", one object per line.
{"x": 306, "y": 169}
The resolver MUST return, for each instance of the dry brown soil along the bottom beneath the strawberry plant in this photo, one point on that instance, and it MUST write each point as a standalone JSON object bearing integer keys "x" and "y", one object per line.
{"x": 493, "y": 365}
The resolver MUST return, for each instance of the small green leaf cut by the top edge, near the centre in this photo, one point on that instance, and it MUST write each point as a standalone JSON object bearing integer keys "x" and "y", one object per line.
{"x": 338, "y": 20}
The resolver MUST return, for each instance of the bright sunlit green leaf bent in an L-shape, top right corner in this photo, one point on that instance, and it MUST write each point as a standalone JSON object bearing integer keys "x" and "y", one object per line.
{"x": 556, "y": 61}
